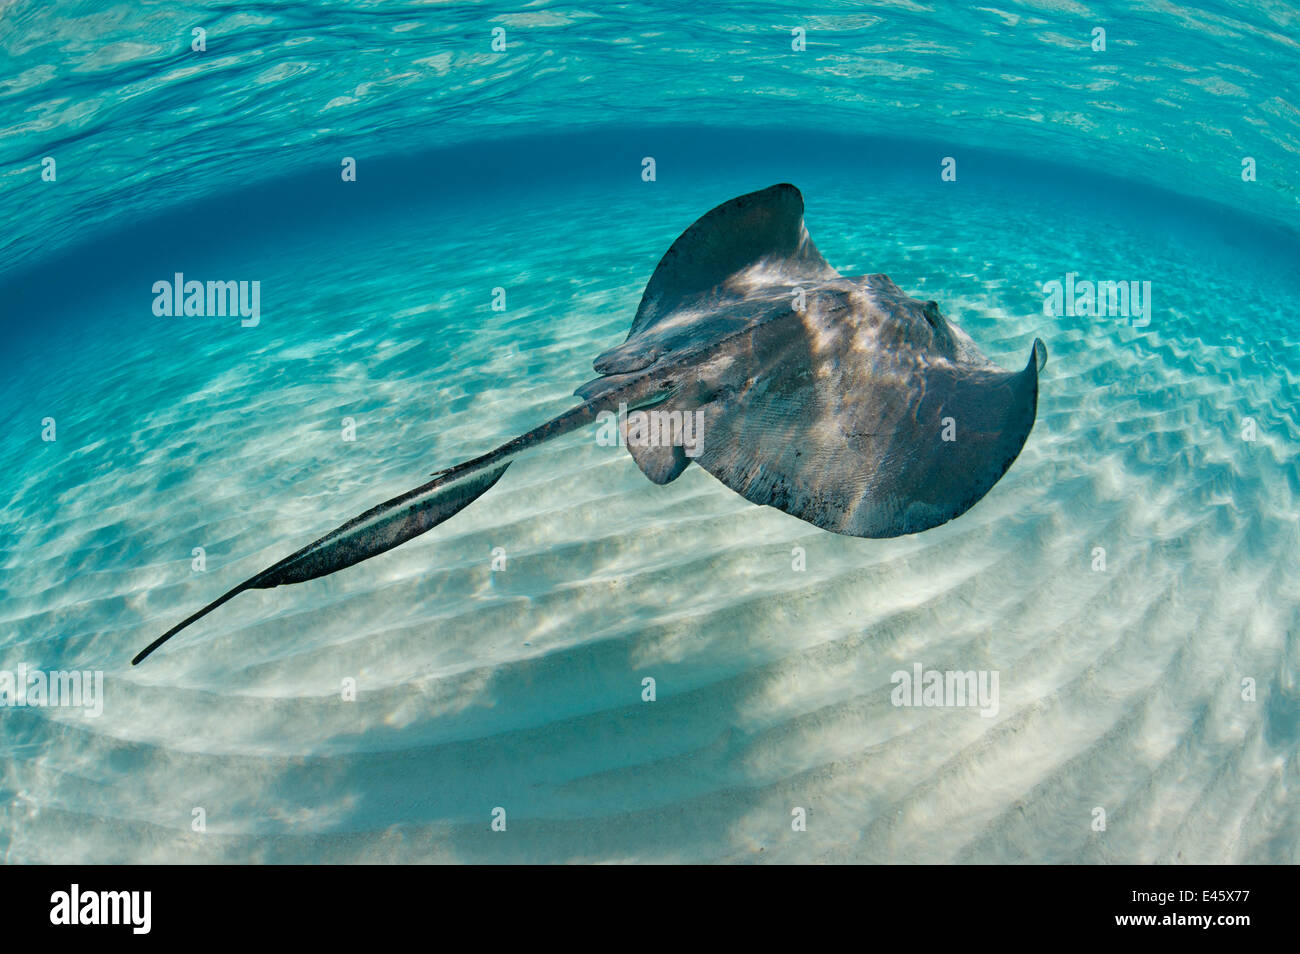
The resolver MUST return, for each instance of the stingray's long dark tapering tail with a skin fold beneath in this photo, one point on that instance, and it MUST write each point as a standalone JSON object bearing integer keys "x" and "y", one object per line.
{"x": 397, "y": 521}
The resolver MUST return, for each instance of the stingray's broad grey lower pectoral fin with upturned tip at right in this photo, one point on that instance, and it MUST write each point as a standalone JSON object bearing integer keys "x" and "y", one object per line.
{"x": 865, "y": 453}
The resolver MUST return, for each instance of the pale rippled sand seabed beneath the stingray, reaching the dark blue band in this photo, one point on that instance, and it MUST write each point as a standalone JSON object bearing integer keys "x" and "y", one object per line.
{"x": 522, "y": 690}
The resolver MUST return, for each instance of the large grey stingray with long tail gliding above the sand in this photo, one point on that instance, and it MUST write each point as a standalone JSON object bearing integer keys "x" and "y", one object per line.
{"x": 840, "y": 401}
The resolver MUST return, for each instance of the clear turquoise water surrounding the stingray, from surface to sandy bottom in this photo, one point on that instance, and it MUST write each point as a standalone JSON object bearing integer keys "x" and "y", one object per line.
{"x": 1120, "y": 688}
